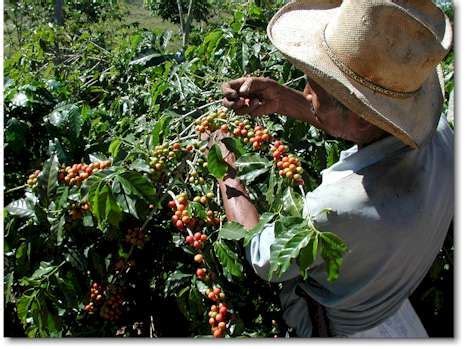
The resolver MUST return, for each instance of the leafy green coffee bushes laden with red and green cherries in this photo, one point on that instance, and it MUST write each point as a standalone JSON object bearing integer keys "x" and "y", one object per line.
{"x": 113, "y": 219}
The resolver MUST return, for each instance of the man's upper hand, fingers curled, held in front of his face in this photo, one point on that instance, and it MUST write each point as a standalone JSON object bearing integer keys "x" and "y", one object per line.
{"x": 252, "y": 95}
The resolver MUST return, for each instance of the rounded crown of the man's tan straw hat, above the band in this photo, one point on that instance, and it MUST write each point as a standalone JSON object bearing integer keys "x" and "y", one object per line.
{"x": 392, "y": 44}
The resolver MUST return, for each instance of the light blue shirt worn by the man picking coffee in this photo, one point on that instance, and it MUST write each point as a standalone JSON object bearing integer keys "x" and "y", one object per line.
{"x": 392, "y": 205}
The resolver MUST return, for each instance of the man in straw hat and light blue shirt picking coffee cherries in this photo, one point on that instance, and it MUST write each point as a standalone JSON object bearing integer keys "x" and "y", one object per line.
{"x": 372, "y": 80}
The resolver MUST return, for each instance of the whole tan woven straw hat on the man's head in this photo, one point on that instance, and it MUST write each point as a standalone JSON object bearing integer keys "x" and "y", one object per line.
{"x": 377, "y": 57}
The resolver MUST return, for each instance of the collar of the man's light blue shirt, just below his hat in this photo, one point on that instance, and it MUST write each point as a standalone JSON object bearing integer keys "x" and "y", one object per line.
{"x": 352, "y": 159}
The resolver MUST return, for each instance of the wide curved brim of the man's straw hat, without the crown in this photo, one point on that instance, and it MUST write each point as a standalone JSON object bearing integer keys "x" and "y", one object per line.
{"x": 297, "y": 31}
